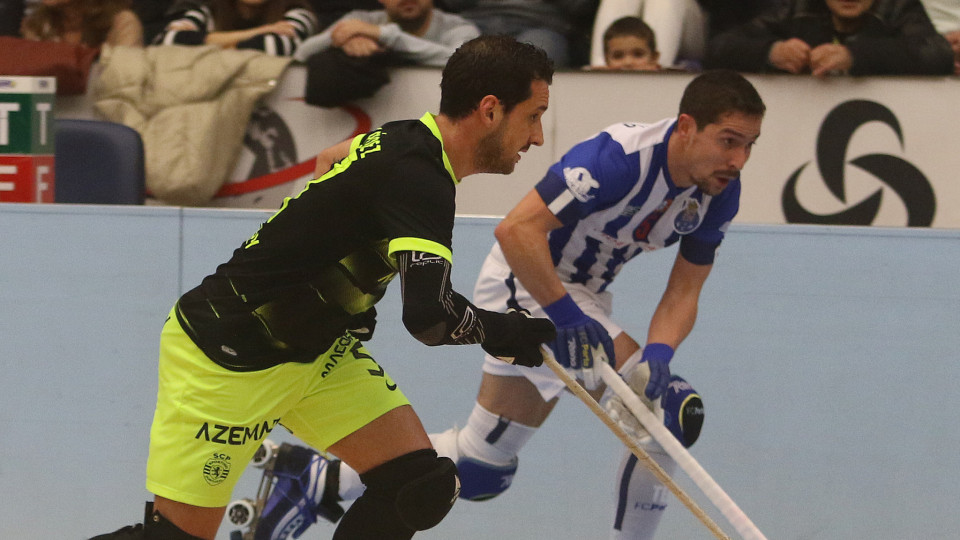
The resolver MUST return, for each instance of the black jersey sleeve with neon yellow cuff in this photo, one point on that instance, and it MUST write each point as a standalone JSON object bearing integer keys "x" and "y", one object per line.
{"x": 417, "y": 206}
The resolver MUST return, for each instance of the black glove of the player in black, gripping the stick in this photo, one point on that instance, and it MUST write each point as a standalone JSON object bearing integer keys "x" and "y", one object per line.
{"x": 515, "y": 337}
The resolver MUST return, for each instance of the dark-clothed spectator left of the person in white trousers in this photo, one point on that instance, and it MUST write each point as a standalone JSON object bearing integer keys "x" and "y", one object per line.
{"x": 559, "y": 27}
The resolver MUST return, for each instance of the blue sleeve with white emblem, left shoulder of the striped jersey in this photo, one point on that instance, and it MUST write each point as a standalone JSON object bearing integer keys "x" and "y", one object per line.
{"x": 590, "y": 176}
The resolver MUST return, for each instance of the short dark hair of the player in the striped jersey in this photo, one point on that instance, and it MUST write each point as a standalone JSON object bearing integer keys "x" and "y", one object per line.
{"x": 713, "y": 94}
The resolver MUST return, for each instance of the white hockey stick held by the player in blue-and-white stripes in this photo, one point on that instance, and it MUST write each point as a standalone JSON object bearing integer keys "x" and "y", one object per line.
{"x": 734, "y": 515}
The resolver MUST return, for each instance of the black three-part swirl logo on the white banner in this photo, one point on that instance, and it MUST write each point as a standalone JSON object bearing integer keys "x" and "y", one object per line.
{"x": 897, "y": 174}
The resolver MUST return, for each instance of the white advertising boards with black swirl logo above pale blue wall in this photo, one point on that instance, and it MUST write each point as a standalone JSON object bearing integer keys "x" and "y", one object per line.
{"x": 838, "y": 151}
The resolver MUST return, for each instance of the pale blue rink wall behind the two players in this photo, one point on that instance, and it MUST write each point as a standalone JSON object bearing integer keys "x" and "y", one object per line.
{"x": 825, "y": 357}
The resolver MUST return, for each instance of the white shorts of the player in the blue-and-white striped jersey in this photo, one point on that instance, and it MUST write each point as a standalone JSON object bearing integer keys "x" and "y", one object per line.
{"x": 493, "y": 291}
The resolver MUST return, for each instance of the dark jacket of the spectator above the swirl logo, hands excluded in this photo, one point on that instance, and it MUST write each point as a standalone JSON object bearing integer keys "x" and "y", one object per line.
{"x": 897, "y": 38}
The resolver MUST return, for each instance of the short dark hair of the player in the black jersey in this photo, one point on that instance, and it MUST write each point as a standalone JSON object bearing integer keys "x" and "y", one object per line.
{"x": 491, "y": 65}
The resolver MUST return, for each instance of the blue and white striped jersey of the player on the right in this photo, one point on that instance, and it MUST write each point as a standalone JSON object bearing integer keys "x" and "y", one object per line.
{"x": 615, "y": 198}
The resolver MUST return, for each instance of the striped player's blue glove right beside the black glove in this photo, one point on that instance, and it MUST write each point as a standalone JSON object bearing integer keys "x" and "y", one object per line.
{"x": 581, "y": 341}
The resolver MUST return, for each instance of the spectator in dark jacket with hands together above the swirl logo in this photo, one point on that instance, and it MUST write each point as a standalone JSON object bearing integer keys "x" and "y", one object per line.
{"x": 835, "y": 37}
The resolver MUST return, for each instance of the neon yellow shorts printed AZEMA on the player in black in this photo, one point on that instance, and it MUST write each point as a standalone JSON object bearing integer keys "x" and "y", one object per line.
{"x": 209, "y": 420}
